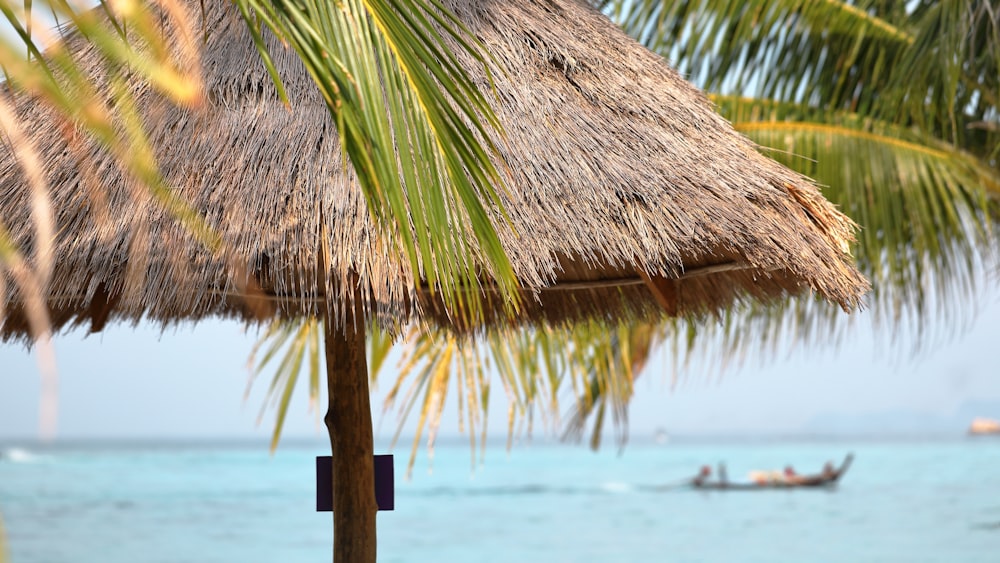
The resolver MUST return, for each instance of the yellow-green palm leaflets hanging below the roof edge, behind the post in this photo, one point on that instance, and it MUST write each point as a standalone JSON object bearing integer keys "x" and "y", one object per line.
{"x": 591, "y": 366}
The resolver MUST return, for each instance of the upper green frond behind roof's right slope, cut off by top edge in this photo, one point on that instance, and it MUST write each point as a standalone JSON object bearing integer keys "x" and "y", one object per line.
{"x": 778, "y": 49}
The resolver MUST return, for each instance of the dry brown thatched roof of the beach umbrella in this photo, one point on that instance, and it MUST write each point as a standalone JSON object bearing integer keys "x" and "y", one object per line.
{"x": 620, "y": 170}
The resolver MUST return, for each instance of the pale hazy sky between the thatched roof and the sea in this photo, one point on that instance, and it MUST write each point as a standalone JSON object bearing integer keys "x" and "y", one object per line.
{"x": 190, "y": 382}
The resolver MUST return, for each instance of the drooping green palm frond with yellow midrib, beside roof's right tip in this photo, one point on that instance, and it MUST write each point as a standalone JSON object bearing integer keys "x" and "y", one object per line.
{"x": 923, "y": 204}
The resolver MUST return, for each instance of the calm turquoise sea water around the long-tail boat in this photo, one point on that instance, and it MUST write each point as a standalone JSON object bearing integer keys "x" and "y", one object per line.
{"x": 901, "y": 501}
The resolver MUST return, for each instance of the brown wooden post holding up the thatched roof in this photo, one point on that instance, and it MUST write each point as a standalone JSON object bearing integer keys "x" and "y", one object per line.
{"x": 349, "y": 421}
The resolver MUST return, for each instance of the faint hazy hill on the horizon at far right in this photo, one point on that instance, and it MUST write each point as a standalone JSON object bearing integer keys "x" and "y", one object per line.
{"x": 903, "y": 422}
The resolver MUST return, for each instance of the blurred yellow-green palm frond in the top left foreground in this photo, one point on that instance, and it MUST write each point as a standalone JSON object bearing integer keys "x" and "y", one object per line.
{"x": 159, "y": 51}
